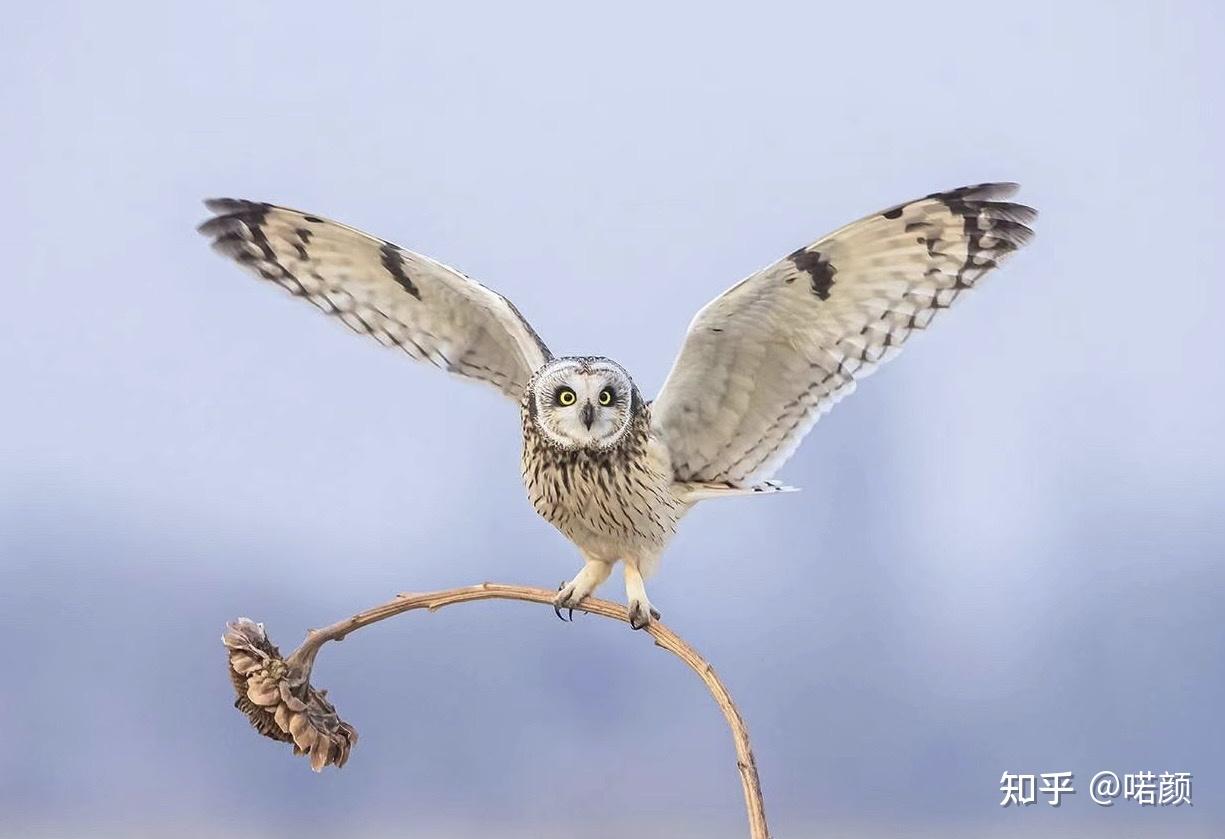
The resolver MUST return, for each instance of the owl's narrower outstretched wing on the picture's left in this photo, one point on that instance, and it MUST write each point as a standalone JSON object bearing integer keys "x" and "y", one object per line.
{"x": 401, "y": 298}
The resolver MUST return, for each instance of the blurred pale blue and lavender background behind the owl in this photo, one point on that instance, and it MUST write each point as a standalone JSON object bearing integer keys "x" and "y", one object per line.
{"x": 1009, "y": 553}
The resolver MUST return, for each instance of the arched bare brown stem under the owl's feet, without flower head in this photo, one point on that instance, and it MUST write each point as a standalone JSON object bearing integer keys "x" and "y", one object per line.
{"x": 303, "y": 660}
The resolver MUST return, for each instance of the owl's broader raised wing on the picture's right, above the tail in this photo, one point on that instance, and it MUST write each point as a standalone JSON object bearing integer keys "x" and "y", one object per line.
{"x": 765, "y": 361}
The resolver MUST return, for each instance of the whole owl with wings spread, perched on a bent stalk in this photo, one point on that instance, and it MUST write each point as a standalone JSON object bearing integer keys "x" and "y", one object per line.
{"x": 758, "y": 368}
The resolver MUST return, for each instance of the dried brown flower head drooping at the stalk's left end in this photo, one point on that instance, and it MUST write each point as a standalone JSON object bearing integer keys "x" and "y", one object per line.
{"x": 280, "y": 700}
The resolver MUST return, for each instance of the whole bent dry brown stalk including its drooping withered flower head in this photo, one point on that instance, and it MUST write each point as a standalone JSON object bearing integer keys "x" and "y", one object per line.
{"x": 277, "y": 696}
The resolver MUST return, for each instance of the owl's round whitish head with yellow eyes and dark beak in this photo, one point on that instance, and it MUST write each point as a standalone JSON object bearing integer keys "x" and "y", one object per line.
{"x": 584, "y": 404}
